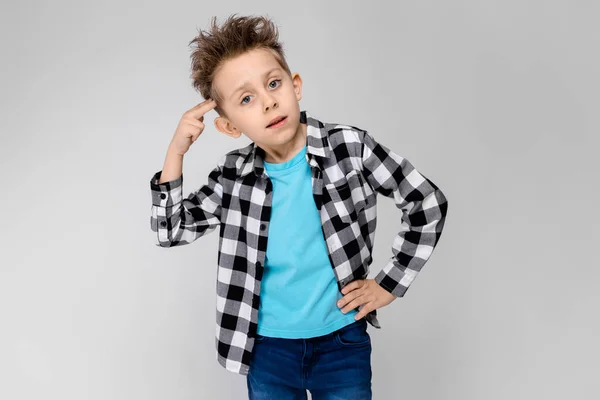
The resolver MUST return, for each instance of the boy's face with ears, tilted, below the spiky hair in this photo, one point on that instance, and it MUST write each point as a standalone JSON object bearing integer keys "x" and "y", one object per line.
{"x": 268, "y": 93}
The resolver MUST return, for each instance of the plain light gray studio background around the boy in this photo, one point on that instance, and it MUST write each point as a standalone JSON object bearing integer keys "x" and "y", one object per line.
{"x": 495, "y": 101}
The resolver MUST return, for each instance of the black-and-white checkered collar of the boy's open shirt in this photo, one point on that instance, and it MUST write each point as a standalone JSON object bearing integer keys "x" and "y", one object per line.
{"x": 317, "y": 147}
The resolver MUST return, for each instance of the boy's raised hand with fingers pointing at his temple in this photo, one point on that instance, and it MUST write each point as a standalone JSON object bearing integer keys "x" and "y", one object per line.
{"x": 190, "y": 127}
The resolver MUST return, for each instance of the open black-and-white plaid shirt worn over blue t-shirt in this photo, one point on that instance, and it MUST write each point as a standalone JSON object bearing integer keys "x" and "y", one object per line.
{"x": 348, "y": 168}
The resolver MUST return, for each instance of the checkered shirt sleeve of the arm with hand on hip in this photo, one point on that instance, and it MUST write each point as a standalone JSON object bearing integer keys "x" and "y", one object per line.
{"x": 423, "y": 205}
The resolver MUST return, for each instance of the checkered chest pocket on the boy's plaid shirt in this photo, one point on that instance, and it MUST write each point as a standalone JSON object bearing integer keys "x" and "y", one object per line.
{"x": 348, "y": 196}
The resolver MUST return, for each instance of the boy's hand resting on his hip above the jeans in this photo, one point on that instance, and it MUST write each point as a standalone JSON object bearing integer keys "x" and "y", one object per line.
{"x": 365, "y": 292}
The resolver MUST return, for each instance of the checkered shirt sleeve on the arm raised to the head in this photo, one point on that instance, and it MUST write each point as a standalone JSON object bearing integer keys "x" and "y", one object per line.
{"x": 178, "y": 221}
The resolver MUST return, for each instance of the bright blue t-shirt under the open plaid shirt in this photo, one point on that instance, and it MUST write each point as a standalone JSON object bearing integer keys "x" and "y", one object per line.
{"x": 299, "y": 292}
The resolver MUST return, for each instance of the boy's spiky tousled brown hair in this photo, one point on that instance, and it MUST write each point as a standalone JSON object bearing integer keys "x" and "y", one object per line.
{"x": 236, "y": 36}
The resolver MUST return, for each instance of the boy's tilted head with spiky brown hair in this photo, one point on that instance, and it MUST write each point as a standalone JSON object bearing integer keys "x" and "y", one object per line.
{"x": 246, "y": 50}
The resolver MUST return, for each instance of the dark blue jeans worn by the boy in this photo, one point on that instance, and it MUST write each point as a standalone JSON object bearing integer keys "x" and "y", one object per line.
{"x": 336, "y": 366}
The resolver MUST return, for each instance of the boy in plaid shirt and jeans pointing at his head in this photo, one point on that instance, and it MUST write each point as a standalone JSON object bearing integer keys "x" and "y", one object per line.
{"x": 290, "y": 313}
